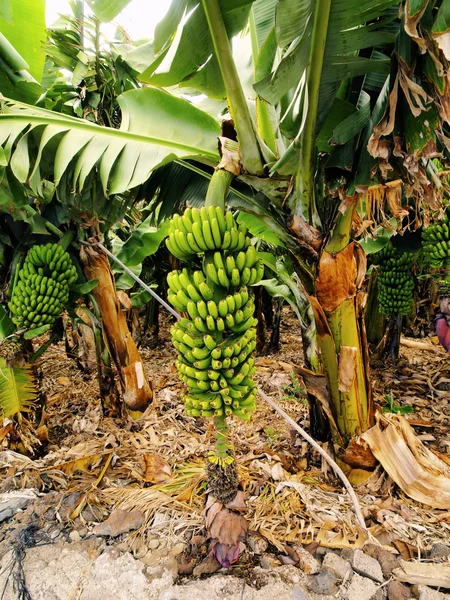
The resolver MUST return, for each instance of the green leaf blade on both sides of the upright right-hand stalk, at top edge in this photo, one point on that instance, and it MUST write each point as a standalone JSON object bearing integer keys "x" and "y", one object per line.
{"x": 353, "y": 26}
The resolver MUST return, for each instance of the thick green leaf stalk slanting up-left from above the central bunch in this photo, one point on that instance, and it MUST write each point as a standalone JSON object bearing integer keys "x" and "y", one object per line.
{"x": 237, "y": 102}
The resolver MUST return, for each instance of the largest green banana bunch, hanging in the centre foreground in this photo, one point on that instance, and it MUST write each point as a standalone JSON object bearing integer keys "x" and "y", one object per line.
{"x": 216, "y": 342}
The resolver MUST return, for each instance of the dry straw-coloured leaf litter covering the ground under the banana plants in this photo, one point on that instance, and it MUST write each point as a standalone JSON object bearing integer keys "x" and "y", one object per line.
{"x": 291, "y": 497}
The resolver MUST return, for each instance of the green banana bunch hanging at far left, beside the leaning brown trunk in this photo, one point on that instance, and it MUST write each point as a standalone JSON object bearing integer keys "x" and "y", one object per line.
{"x": 42, "y": 290}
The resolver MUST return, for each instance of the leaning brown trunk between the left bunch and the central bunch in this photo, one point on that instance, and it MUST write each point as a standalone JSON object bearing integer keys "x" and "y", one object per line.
{"x": 136, "y": 388}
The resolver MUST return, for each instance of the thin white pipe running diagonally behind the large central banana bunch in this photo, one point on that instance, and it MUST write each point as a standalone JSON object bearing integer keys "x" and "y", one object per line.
{"x": 338, "y": 471}
